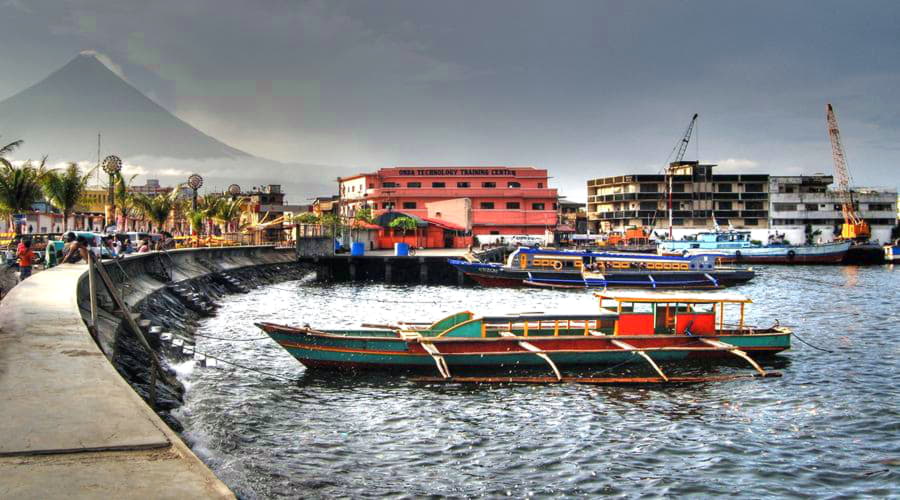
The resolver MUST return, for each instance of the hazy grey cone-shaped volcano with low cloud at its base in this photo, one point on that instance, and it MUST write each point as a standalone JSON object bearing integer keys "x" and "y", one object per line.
{"x": 61, "y": 115}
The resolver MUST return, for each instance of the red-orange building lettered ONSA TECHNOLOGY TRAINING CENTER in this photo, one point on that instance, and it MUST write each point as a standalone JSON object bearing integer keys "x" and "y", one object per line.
{"x": 499, "y": 201}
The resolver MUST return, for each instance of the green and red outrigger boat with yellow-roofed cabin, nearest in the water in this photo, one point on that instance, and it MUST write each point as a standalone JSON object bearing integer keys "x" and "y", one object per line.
{"x": 639, "y": 327}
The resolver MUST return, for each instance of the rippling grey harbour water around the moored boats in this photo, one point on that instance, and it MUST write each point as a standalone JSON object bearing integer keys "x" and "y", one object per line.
{"x": 829, "y": 427}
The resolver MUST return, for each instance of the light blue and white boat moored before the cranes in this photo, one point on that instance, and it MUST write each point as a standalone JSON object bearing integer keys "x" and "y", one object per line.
{"x": 736, "y": 246}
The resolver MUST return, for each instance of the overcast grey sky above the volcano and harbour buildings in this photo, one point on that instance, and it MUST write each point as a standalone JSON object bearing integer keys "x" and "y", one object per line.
{"x": 585, "y": 89}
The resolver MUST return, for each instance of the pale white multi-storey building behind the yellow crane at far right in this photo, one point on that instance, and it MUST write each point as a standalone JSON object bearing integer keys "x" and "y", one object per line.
{"x": 799, "y": 205}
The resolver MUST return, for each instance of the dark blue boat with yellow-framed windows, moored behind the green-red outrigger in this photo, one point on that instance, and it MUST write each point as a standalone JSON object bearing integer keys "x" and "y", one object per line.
{"x": 585, "y": 269}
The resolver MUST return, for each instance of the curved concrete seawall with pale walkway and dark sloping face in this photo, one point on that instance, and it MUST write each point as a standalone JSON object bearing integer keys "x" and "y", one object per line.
{"x": 74, "y": 417}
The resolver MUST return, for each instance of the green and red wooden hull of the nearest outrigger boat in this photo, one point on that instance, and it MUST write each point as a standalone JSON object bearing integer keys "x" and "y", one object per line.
{"x": 386, "y": 350}
